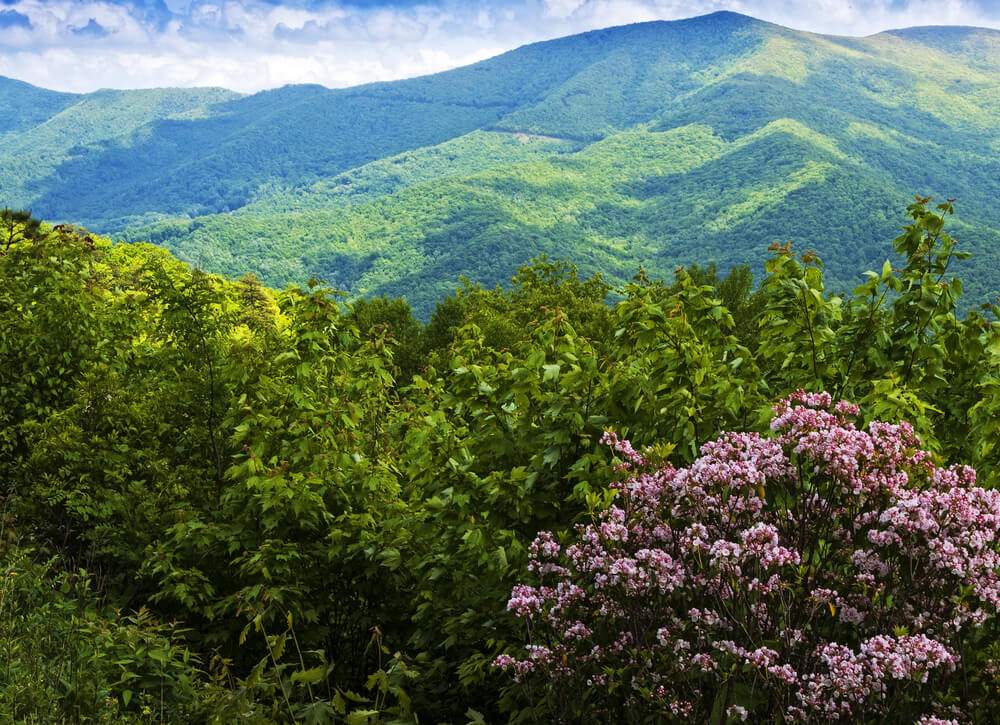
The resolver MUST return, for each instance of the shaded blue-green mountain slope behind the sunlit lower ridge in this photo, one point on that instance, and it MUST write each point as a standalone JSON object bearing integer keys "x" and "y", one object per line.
{"x": 216, "y": 160}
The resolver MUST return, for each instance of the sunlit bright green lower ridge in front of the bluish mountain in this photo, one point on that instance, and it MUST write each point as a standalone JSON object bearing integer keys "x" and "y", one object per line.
{"x": 655, "y": 198}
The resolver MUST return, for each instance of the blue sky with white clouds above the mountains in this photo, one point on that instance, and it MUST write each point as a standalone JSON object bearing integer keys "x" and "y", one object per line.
{"x": 249, "y": 45}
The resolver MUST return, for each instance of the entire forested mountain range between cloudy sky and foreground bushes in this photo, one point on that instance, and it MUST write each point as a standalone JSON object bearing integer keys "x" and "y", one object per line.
{"x": 652, "y": 144}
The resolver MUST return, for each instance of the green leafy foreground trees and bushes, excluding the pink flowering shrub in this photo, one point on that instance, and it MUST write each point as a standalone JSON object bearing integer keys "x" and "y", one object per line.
{"x": 335, "y": 499}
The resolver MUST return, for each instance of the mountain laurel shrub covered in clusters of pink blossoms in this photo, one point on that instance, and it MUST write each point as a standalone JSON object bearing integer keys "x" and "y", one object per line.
{"x": 823, "y": 573}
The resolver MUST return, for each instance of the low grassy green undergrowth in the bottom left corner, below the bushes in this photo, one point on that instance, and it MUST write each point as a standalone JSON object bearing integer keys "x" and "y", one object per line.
{"x": 66, "y": 657}
